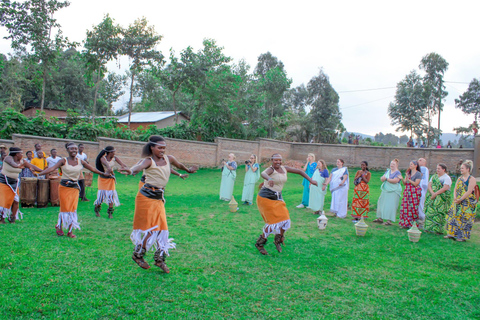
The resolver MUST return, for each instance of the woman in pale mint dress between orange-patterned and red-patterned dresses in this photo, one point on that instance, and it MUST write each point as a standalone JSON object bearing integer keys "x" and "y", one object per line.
{"x": 389, "y": 200}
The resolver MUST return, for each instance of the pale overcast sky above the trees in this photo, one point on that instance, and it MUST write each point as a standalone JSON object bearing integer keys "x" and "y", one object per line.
{"x": 359, "y": 44}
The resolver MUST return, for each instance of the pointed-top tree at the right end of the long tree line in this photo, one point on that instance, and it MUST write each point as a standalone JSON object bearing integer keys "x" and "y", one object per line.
{"x": 325, "y": 112}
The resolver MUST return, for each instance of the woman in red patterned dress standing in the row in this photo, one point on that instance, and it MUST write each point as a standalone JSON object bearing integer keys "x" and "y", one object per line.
{"x": 411, "y": 195}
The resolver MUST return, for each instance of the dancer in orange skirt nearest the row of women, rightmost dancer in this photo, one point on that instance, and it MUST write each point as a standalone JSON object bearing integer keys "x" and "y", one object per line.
{"x": 271, "y": 205}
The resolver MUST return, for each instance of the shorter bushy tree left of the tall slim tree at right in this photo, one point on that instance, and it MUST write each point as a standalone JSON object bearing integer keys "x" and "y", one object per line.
{"x": 409, "y": 106}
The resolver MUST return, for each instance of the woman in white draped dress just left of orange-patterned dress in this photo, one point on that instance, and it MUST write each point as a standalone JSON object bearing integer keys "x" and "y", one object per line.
{"x": 339, "y": 184}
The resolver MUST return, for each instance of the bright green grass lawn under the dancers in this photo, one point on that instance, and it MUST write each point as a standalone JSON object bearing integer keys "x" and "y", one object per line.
{"x": 216, "y": 272}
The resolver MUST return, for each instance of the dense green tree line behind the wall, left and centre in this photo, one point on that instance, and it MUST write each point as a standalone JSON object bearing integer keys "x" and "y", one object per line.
{"x": 221, "y": 97}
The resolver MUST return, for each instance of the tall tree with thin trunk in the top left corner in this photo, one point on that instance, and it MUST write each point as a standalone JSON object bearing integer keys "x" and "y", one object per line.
{"x": 30, "y": 25}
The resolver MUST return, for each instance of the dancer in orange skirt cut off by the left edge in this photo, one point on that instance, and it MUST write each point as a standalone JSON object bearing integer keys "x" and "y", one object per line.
{"x": 12, "y": 166}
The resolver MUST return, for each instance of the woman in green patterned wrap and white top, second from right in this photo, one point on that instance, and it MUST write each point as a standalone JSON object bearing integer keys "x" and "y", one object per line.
{"x": 438, "y": 200}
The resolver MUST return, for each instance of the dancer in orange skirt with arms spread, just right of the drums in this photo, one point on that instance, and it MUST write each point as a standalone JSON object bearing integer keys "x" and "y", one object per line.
{"x": 68, "y": 191}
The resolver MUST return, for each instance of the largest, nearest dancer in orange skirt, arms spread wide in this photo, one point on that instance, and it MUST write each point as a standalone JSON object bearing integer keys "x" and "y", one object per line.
{"x": 150, "y": 227}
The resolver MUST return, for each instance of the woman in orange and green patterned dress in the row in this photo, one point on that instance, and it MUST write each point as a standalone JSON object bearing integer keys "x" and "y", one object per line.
{"x": 361, "y": 203}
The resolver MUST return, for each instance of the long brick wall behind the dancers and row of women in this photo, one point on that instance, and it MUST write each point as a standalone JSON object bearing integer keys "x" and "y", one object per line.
{"x": 208, "y": 154}
